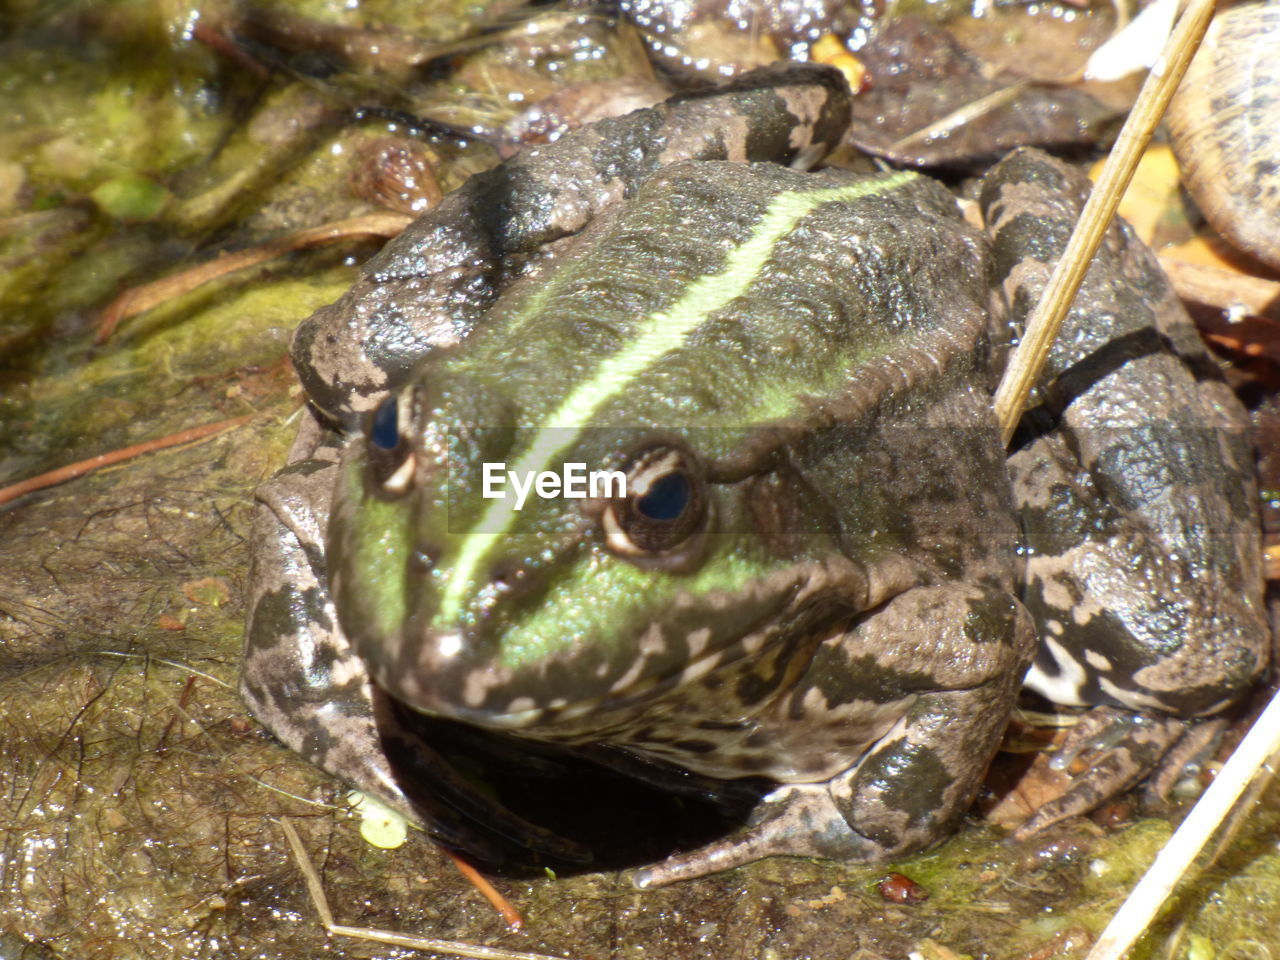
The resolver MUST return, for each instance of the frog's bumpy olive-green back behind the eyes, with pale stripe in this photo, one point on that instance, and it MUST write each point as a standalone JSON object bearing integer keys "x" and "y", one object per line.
{"x": 733, "y": 294}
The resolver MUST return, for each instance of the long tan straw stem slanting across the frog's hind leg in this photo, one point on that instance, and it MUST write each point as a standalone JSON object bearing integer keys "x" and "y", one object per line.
{"x": 1030, "y": 358}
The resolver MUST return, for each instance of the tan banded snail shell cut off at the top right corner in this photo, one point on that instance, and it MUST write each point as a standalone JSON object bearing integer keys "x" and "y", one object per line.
{"x": 1226, "y": 125}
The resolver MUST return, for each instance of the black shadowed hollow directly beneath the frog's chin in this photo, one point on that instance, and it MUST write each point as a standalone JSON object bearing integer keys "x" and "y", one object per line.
{"x": 492, "y": 793}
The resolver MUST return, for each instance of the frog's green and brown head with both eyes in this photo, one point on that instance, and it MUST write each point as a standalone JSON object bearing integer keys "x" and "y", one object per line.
{"x": 527, "y": 609}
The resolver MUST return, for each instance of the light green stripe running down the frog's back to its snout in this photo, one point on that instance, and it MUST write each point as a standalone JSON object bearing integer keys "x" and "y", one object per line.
{"x": 656, "y": 336}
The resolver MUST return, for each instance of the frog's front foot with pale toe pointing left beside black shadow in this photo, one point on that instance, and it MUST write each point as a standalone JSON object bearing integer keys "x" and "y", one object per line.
{"x": 794, "y": 821}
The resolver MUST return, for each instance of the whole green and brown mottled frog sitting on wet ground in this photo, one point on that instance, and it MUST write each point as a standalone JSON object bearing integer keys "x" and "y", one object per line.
{"x": 812, "y": 563}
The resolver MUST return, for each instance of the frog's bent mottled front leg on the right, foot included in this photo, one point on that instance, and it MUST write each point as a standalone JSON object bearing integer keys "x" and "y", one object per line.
{"x": 940, "y": 666}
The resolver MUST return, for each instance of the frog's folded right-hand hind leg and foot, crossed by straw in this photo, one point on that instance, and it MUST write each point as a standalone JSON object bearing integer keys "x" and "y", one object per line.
{"x": 1135, "y": 452}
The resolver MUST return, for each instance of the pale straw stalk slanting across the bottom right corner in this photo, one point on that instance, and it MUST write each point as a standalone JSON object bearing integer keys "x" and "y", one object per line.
{"x": 1137, "y": 912}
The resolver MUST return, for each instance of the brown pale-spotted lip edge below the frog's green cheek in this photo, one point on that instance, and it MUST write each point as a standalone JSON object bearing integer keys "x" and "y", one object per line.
{"x": 758, "y": 650}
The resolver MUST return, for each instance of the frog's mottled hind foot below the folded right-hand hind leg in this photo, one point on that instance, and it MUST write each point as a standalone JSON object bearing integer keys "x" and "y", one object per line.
{"x": 1118, "y": 748}
